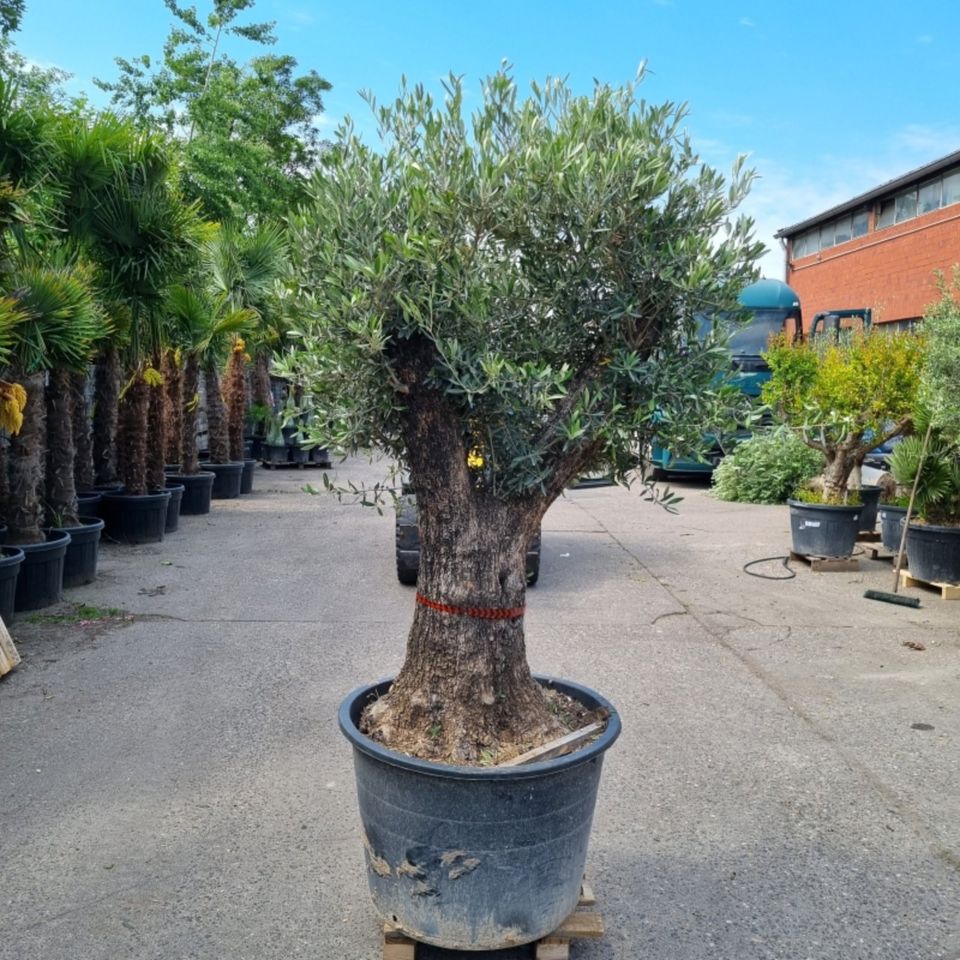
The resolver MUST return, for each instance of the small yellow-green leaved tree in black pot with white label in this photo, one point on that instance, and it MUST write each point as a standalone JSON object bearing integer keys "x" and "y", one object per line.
{"x": 844, "y": 397}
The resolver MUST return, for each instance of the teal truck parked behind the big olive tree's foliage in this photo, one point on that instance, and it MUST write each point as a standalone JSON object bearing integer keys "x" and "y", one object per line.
{"x": 774, "y": 308}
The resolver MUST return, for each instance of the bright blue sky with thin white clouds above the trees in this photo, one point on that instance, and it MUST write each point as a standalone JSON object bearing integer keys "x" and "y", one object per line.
{"x": 827, "y": 99}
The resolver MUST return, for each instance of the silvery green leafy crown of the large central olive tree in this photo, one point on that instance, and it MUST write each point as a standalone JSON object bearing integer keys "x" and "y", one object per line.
{"x": 554, "y": 253}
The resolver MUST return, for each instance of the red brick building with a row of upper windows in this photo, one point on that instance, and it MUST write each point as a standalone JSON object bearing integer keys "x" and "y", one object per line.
{"x": 880, "y": 249}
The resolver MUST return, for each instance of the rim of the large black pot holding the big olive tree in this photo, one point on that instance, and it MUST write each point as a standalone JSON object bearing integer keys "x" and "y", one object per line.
{"x": 448, "y": 771}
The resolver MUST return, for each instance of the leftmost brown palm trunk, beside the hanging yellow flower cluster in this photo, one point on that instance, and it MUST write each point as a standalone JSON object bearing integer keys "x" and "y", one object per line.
{"x": 26, "y": 465}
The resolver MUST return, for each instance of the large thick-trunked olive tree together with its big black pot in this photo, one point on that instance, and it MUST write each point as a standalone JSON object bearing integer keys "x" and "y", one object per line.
{"x": 501, "y": 303}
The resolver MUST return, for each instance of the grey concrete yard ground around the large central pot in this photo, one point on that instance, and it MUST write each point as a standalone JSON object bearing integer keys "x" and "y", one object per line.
{"x": 786, "y": 787}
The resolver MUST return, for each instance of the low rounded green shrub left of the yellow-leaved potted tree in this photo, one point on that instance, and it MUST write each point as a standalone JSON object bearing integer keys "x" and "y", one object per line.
{"x": 767, "y": 468}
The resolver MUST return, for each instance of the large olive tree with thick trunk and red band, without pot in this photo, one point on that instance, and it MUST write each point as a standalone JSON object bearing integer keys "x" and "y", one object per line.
{"x": 502, "y": 303}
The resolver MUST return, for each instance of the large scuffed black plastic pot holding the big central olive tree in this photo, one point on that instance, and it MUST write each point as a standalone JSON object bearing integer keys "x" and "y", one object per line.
{"x": 475, "y": 858}
